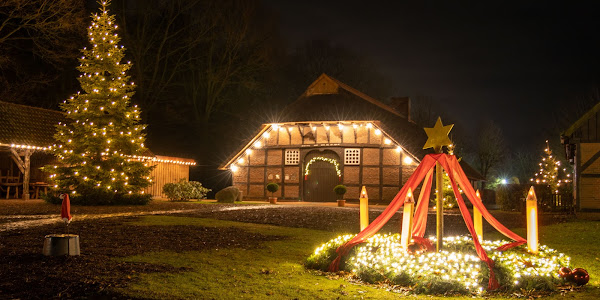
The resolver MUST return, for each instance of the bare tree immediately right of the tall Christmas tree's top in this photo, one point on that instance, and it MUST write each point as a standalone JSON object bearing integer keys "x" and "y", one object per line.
{"x": 160, "y": 44}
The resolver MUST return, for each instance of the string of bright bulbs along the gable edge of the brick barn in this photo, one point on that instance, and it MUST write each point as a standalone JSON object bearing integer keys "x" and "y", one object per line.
{"x": 330, "y": 128}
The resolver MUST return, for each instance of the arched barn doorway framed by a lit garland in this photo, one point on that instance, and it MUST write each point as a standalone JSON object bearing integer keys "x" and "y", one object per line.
{"x": 322, "y": 172}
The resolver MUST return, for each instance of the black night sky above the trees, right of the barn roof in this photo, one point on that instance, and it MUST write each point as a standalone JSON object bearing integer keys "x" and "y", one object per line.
{"x": 514, "y": 62}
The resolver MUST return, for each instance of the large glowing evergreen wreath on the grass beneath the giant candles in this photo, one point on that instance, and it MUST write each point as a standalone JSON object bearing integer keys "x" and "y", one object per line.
{"x": 457, "y": 269}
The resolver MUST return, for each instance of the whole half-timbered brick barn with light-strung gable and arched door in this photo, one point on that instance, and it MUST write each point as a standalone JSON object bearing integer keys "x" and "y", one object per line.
{"x": 332, "y": 134}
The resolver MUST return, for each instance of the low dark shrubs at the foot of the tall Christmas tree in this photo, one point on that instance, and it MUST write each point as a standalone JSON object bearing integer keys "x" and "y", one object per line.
{"x": 100, "y": 197}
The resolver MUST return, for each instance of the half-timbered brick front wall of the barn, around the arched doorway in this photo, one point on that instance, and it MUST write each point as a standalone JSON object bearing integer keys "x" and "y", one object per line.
{"x": 381, "y": 168}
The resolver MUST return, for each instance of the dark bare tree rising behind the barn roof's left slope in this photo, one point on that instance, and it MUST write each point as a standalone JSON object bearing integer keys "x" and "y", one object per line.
{"x": 229, "y": 64}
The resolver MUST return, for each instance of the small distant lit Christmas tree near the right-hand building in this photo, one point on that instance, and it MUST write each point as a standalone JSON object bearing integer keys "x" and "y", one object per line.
{"x": 550, "y": 172}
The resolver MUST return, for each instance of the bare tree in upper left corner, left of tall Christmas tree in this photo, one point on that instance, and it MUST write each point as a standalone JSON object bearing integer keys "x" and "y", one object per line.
{"x": 36, "y": 39}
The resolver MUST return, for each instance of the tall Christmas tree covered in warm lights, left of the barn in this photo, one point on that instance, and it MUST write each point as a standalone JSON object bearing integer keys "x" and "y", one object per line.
{"x": 99, "y": 145}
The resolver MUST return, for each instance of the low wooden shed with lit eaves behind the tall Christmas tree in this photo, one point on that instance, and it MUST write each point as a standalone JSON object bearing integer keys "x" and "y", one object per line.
{"x": 25, "y": 134}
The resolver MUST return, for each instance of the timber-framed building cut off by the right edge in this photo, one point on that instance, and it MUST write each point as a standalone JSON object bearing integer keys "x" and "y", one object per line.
{"x": 582, "y": 147}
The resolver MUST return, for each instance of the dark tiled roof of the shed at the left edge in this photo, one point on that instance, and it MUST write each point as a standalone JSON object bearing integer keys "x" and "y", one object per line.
{"x": 28, "y": 126}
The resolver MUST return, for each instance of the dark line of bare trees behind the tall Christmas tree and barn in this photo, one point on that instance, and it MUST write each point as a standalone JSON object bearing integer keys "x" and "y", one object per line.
{"x": 206, "y": 71}
